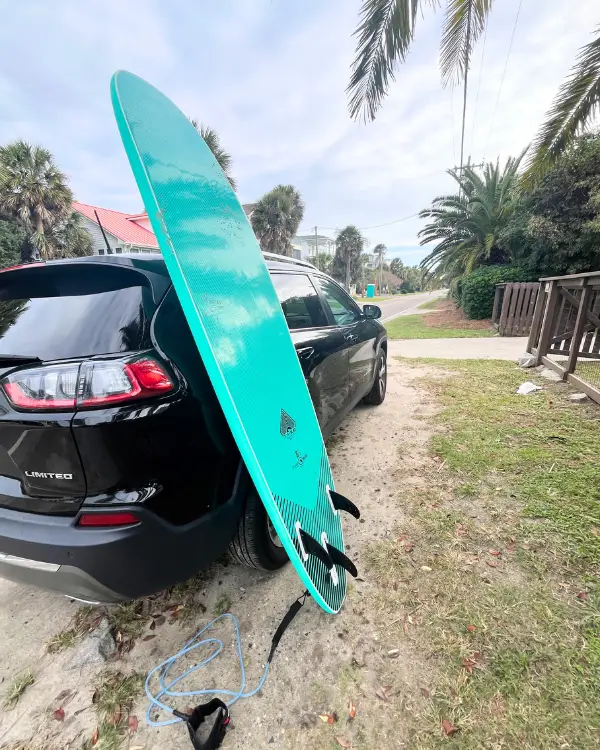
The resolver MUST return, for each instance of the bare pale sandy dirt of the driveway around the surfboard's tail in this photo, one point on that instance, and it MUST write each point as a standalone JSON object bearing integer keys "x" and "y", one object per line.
{"x": 323, "y": 662}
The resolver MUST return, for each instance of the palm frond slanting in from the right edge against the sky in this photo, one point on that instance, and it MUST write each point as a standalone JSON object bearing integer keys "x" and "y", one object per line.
{"x": 572, "y": 111}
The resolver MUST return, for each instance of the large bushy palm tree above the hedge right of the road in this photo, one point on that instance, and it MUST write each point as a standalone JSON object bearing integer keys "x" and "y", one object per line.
{"x": 467, "y": 225}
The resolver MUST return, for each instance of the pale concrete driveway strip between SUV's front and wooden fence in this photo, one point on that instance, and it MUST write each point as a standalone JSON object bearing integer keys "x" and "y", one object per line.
{"x": 495, "y": 347}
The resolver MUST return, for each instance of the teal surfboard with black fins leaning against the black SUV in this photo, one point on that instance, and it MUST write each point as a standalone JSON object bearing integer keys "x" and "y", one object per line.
{"x": 226, "y": 293}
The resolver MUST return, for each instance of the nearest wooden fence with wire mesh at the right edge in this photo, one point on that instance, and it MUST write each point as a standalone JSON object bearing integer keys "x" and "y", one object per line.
{"x": 565, "y": 331}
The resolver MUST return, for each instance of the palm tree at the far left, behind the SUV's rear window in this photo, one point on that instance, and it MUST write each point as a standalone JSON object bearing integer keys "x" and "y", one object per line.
{"x": 34, "y": 191}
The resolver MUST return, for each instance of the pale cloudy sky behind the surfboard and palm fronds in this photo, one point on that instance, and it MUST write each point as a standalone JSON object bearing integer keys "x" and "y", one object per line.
{"x": 270, "y": 77}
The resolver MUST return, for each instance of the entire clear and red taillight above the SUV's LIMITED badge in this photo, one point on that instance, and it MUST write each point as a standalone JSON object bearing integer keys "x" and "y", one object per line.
{"x": 101, "y": 383}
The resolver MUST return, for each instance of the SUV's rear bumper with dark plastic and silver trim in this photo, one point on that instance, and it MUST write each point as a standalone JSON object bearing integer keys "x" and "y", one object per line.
{"x": 111, "y": 565}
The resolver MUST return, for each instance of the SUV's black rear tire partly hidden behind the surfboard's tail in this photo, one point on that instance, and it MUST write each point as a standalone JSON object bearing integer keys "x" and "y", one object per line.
{"x": 255, "y": 543}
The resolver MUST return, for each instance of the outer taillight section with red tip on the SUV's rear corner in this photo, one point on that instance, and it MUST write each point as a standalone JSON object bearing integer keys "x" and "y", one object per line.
{"x": 115, "y": 381}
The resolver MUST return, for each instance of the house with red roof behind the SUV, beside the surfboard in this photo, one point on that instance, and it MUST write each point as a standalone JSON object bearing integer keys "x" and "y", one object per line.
{"x": 125, "y": 233}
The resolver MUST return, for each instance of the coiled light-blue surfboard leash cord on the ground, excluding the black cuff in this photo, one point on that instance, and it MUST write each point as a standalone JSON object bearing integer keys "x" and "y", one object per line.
{"x": 167, "y": 683}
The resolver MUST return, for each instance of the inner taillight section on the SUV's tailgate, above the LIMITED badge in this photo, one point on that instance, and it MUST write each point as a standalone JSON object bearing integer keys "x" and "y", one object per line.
{"x": 47, "y": 388}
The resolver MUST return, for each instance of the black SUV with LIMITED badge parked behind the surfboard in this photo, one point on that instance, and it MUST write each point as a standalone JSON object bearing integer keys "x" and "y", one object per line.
{"x": 119, "y": 475}
